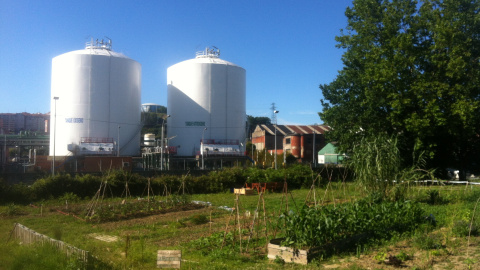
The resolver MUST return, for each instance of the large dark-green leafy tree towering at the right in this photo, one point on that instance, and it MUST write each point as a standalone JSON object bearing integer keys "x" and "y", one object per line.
{"x": 411, "y": 70}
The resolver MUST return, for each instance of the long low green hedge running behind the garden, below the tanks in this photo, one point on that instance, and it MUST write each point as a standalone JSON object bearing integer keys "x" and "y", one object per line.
{"x": 213, "y": 182}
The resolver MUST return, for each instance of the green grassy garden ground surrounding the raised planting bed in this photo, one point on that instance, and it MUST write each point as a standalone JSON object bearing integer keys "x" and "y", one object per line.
{"x": 200, "y": 233}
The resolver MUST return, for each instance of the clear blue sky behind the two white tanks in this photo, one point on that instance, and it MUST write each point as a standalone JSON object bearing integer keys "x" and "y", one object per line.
{"x": 287, "y": 47}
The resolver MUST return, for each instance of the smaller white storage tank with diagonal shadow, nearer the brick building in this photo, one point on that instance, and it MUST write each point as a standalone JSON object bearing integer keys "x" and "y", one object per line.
{"x": 206, "y": 92}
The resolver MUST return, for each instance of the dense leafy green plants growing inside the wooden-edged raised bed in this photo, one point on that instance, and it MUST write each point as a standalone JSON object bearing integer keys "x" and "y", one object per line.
{"x": 313, "y": 227}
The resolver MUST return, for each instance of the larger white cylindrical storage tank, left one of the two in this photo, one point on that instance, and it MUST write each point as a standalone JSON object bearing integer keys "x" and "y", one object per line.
{"x": 95, "y": 103}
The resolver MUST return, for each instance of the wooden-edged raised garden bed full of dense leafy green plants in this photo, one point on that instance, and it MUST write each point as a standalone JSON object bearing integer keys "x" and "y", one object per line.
{"x": 312, "y": 231}
